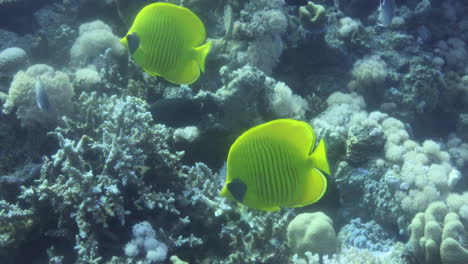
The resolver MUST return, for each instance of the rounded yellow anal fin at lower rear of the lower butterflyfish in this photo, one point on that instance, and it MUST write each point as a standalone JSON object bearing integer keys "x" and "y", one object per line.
{"x": 315, "y": 185}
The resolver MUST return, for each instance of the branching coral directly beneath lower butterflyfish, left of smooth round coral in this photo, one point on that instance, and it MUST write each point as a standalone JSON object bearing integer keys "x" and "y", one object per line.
{"x": 249, "y": 235}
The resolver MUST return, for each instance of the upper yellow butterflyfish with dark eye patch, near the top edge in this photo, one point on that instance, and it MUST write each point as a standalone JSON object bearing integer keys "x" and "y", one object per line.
{"x": 165, "y": 41}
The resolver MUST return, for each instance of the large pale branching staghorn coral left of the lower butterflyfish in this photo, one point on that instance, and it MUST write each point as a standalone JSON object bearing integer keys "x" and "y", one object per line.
{"x": 97, "y": 161}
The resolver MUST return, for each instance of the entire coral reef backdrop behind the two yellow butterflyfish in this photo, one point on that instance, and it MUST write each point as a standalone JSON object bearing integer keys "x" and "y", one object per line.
{"x": 122, "y": 167}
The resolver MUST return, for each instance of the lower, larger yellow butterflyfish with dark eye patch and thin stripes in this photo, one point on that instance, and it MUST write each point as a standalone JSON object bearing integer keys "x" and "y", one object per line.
{"x": 275, "y": 165}
